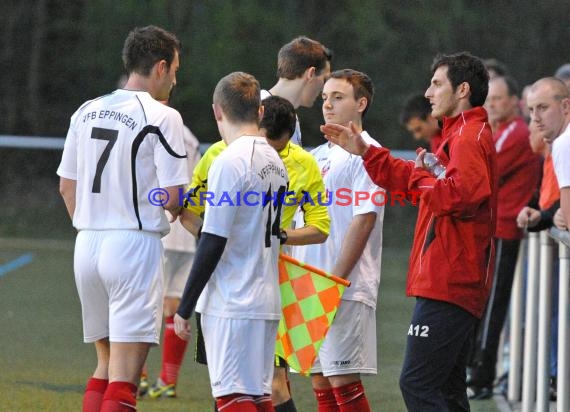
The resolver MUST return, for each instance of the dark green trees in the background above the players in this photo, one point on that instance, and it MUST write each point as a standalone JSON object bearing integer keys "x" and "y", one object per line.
{"x": 57, "y": 54}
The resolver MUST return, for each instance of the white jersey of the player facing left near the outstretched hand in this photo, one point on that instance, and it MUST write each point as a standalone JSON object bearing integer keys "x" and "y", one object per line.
{"x": 344, "y": 175}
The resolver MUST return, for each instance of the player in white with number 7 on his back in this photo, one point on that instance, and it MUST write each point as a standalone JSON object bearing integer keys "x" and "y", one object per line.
{"x": 121, "y": 150}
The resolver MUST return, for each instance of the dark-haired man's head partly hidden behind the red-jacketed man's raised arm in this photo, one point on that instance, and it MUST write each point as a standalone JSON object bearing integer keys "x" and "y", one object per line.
{"x": 417, "y": 119}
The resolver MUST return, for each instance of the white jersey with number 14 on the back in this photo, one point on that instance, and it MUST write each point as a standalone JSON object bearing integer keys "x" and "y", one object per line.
{"x": 245, "y": 283}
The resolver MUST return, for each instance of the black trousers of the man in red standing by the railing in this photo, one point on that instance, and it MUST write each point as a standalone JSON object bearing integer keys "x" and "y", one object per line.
{"x": 484, "y": 356}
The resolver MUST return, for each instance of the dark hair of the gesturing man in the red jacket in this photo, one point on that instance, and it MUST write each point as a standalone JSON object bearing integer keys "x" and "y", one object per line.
{"x": 464, "y": 67}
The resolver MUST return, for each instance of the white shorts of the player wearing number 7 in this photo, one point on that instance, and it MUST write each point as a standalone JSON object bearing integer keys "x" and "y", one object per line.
{"x": 118, "y": 274}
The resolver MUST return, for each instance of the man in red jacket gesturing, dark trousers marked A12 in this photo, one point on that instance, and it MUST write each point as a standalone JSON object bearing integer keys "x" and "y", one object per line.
{"x": 451, "y": 262}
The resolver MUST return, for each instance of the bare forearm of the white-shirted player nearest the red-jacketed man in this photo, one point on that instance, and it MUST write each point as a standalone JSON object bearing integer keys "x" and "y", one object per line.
{"x": 353, "y": 243}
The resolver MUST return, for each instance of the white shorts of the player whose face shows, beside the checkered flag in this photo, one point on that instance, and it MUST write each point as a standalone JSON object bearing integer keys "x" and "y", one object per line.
{"x": 350, "y": 345}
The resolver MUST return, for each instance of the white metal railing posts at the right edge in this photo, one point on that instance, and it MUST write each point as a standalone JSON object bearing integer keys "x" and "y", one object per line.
{"x": 537, "y": 251}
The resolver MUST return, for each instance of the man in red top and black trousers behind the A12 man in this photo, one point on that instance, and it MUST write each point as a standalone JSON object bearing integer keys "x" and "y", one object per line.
{"x": 519, "y": 170}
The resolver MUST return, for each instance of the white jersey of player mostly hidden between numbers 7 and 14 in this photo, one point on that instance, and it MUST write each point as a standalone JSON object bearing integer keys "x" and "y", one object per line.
{"x": 180, "y": 239}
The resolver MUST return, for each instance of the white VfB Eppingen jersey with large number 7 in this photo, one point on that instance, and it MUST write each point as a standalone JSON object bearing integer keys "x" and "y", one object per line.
{"x": 120, "y": 148}
